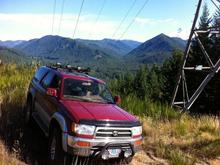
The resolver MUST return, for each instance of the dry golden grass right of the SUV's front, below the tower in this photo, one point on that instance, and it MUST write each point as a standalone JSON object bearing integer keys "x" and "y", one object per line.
{"x": 187, "y": 140}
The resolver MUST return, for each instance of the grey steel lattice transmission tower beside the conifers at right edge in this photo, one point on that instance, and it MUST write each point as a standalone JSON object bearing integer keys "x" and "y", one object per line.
{"x": 185, "y": 101}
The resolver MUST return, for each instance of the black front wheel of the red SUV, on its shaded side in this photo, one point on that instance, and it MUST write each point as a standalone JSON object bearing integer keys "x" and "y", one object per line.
{"x": 56, "y": 155}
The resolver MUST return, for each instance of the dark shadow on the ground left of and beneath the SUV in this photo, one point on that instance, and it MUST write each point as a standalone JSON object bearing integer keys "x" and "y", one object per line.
{"x": 28, "y": 141}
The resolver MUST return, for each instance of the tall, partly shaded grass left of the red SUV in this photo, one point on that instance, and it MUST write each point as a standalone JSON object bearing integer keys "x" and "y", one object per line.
{"x": 14, "y": 81}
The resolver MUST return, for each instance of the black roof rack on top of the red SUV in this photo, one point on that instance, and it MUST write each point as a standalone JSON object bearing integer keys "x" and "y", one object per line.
{"x": 69, "y": 68}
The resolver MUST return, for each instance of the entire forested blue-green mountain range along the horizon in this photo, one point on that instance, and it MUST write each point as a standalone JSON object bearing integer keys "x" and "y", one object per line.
{"x": 98, "y": 53}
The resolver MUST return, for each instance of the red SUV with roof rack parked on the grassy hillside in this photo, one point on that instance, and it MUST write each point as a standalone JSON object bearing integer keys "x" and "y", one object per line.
{"x": 79, "y": 115}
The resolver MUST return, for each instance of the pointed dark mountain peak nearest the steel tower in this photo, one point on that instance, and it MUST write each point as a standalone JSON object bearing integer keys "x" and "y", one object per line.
{"x": 156, "y": 50}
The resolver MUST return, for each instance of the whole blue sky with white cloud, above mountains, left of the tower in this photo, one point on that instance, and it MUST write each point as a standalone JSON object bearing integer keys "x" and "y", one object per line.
{"x": 28, "y": 19}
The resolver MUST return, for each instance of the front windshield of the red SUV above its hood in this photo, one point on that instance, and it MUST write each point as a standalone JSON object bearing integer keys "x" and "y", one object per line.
{"x": 87, "y": 91}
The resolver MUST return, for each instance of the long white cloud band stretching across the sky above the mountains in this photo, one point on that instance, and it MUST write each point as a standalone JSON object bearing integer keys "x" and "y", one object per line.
{"x": 29, "y": 26}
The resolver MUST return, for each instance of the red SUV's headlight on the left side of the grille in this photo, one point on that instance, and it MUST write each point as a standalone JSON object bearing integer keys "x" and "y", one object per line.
{"x": 82, "y": 129}
